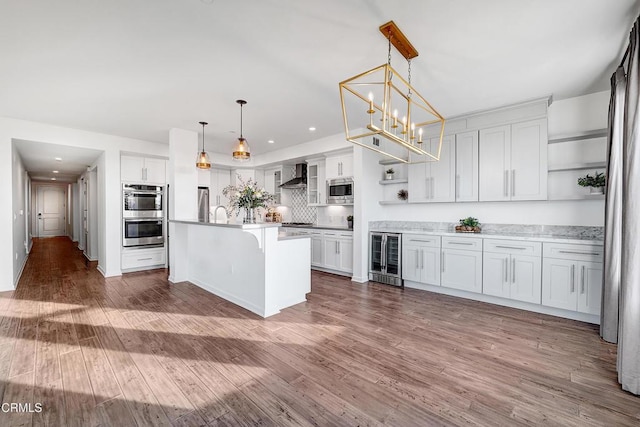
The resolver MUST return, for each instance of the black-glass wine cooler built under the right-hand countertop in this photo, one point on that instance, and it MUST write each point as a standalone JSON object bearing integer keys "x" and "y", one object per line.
{"x": 385, "y": 258}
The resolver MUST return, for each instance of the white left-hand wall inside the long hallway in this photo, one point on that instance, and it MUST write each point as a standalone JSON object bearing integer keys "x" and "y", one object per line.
{"x": 20, "y": 242}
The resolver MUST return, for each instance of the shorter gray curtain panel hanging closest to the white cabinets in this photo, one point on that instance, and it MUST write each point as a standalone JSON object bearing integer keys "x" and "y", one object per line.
{"x": 613, "y": 211}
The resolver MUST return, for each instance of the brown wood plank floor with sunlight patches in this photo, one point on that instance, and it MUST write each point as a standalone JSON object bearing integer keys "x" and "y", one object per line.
{"x": 137, "y": 350}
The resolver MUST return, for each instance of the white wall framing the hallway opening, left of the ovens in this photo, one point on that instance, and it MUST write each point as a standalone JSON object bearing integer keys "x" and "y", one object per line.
{"x": 109, "y": 222}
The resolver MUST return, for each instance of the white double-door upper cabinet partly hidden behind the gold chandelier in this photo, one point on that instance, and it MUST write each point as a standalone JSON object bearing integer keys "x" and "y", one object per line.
{"x": 434, "y": 181}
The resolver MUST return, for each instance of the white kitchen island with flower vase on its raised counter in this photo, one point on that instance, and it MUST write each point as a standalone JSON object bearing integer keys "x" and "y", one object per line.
{"x": 247, "y": 264}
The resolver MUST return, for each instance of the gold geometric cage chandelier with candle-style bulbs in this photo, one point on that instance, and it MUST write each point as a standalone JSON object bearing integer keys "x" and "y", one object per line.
{"x": 381, "y": 103}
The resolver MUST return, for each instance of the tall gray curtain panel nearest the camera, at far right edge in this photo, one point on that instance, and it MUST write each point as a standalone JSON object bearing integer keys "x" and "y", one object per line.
{"x": 629, "y": 321}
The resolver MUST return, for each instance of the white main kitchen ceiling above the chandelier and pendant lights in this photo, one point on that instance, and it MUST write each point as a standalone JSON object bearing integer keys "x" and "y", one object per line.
{"x": 139, "y": 68}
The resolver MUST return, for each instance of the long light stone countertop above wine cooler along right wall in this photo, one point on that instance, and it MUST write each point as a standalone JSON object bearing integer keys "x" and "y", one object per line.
{"x": 549, "y": 238}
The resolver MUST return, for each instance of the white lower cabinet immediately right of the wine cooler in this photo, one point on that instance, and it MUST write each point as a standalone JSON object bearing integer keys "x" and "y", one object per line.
{"x": 421, "y": 259}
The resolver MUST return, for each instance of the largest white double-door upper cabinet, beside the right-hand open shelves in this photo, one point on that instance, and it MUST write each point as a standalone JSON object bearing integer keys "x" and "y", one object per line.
{"x": 513, "y": 162}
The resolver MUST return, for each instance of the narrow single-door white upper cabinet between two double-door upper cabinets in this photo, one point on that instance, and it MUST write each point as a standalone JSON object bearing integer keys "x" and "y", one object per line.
{"x": 466, "y": 179}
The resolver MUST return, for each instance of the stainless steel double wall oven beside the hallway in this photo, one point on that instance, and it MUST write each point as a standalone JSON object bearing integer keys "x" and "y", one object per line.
{"x": 142, "y": 215}
